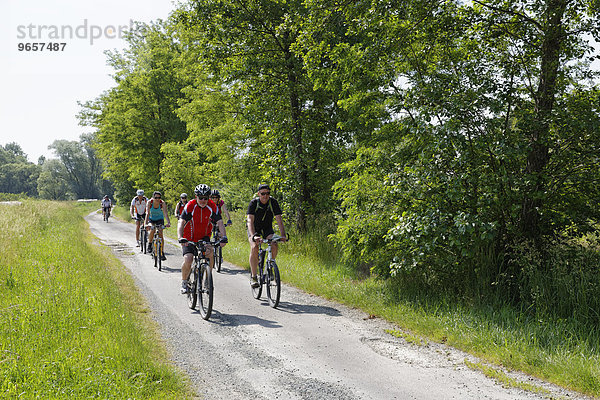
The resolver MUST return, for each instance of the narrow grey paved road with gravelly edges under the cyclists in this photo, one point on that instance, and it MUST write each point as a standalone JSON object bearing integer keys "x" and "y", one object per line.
{"x": 308, "y": 348}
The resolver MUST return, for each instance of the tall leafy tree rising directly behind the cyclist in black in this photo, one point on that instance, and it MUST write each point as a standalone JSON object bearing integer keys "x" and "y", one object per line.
{"x": 248, "y": 46}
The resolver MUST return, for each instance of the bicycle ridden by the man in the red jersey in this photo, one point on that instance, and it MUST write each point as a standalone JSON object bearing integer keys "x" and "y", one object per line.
{"x": 200, "y": 281}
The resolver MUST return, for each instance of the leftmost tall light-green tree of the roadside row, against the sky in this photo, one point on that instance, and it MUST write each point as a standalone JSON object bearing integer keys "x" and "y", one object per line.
{"x": 136, "y": 117}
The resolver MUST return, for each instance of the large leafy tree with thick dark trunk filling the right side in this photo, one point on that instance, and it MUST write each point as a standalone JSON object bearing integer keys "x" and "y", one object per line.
{"x": 482, "y": 118}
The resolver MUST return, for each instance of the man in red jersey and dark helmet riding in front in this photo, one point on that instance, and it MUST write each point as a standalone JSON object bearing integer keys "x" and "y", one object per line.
{"x": 196, "y": 224}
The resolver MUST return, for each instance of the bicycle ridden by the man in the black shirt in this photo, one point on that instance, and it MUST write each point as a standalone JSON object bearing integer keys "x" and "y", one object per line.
{"x": 268, "y": 275}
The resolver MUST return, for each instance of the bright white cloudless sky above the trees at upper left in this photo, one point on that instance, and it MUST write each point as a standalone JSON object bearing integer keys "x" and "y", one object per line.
{"x": 39, "y": 90}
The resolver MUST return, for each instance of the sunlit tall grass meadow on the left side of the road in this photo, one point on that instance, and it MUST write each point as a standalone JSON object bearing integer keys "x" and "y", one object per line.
{"x": 71, "y": 322}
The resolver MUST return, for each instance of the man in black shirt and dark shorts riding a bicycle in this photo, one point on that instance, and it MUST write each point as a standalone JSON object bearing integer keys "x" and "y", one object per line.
{"x": 259, "y": 219}
